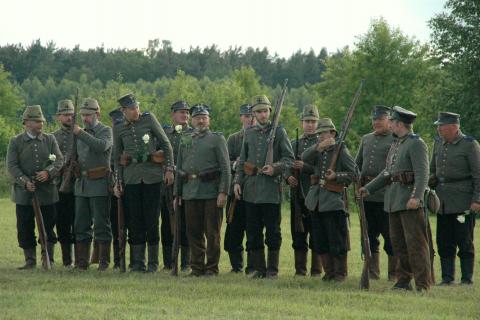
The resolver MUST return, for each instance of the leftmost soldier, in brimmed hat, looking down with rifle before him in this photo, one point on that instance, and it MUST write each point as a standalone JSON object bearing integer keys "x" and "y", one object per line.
{"x": 33, "y": 161}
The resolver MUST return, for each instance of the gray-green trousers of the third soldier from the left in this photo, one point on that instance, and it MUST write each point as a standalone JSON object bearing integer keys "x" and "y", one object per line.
{"x": 94, "y": 210}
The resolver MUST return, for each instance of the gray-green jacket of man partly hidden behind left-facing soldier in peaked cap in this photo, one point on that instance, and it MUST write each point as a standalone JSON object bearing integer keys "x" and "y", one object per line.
{"x": 371, "y": 159}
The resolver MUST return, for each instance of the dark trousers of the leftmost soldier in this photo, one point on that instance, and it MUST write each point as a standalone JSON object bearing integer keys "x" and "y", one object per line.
{"x": 26, "y": 225}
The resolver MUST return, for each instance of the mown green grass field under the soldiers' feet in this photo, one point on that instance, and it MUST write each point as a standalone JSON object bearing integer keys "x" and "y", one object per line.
{"x": 63, "y": 294}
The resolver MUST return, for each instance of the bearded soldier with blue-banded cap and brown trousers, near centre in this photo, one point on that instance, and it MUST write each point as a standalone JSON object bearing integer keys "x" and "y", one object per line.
{"x": 203, "y": 177}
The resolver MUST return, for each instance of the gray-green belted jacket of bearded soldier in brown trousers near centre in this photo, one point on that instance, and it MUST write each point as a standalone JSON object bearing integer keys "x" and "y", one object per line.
{"x": 202, "y": 152}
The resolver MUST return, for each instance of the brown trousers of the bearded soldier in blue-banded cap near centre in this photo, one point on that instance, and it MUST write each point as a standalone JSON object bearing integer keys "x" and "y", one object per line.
{"x": 204, "y": 221}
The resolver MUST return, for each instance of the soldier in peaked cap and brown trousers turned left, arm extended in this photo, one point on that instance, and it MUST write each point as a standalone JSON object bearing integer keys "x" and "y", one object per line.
{"x": 405, "y": 177}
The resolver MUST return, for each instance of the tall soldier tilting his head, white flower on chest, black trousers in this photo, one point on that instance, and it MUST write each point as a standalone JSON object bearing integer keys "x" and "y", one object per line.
{"x": 139, "y": 166}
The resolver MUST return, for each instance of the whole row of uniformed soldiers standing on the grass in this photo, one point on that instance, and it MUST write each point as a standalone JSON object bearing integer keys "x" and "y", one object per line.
{"x": 158, "y": 171}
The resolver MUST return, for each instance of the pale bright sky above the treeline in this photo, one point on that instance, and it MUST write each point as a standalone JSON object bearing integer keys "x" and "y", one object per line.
{"x": 284, "y": 27}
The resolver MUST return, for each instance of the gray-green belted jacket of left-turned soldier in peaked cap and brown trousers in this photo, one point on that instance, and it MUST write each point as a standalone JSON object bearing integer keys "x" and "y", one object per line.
{"x": 407, "y": 154}
